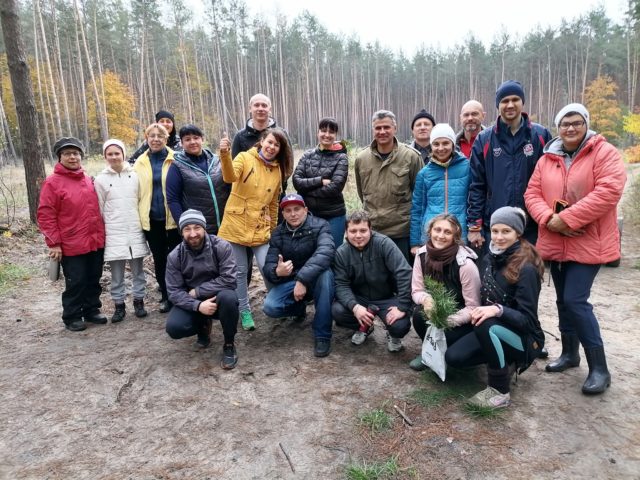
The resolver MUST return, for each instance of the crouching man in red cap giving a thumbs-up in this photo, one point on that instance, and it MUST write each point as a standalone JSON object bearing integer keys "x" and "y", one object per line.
{"x": 298, "y": 263}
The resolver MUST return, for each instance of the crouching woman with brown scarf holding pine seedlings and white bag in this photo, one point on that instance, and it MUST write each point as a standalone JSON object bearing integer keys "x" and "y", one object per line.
{"x": 445, "y": 259}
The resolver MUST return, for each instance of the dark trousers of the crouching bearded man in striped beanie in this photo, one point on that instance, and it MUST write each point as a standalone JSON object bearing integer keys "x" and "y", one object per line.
{"x": 183, "y": 323}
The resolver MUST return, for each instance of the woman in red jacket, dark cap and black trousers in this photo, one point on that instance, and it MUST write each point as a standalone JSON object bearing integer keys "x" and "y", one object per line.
{"x": 70, "y": 220}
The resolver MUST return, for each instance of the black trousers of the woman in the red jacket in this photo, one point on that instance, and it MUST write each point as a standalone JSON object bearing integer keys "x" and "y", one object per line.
{"x": 82, "y": 290}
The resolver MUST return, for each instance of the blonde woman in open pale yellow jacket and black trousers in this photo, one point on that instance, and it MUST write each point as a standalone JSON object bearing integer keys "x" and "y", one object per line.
{"x": 159, "y": 228}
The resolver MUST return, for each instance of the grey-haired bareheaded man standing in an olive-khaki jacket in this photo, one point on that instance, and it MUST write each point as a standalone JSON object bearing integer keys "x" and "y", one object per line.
{"x": 386, "y": 173}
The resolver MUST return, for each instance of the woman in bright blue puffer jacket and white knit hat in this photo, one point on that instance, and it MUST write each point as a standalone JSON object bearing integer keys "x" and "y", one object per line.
{"x": 442, "y": 186}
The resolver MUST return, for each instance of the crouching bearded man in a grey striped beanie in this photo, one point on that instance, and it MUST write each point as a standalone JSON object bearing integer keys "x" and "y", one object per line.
{"x": 201, "y": 284}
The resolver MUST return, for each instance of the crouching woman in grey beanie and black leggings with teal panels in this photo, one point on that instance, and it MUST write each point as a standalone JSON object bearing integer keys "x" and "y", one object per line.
{"x": 506, "y": 327}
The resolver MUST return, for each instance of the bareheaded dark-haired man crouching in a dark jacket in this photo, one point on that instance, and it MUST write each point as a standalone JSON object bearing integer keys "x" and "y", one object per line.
{"x": 372, "y": 278}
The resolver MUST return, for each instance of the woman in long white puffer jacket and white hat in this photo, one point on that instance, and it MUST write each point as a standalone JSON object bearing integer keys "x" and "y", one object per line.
{"x": 117, "y": 188}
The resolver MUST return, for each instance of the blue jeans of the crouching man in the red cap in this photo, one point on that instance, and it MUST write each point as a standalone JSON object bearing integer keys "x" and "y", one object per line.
{"x": 280, "y": 303}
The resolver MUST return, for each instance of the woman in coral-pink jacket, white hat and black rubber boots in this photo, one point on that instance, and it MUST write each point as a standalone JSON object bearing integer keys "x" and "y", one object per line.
{"x": 572, "y": 196}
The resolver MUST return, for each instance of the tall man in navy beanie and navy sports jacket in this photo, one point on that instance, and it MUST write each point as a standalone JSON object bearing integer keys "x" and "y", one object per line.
{"x": 502, "y": 161}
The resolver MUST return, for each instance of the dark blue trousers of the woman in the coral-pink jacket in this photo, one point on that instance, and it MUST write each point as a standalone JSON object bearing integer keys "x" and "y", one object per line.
{"x": 573, "y": 283}
